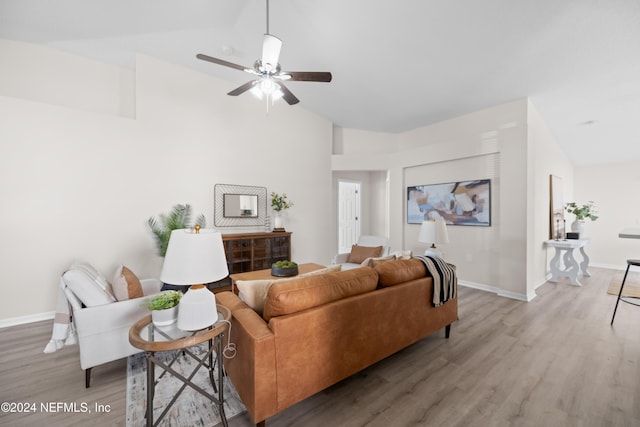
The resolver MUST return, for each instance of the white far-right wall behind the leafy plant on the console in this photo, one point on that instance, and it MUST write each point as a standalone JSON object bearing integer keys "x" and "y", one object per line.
{"x": 613, "y": 188}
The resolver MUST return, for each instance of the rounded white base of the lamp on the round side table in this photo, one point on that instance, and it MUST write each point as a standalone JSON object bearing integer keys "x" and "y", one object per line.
{"x": 197, "y": 309}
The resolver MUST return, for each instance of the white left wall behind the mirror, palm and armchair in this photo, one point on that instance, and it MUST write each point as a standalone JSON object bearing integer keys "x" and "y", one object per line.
{"x": 80, "y": 184}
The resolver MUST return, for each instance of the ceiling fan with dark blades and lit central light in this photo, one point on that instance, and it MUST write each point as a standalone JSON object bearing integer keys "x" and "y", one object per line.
{"x": 270, "y": 76}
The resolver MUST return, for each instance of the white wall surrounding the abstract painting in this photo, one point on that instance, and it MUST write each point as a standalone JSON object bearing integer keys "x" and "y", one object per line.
{"x": 492, "y": 143}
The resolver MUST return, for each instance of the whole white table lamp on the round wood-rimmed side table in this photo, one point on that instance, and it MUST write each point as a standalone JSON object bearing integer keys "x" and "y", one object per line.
{"x": 195, "y": 257}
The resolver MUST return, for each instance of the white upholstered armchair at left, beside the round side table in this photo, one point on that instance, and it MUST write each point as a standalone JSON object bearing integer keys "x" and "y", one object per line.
{"x": 103, "y": 330}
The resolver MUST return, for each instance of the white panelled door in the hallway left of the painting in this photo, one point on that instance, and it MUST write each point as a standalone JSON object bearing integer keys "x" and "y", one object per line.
{"x": 348, "y": 215}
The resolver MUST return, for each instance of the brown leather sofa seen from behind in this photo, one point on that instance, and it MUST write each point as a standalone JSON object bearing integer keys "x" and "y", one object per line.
{"x": 315, "y": 331}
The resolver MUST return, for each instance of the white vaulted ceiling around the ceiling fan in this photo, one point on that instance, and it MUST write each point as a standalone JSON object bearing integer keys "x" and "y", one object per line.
{"x": 396, "y": 65}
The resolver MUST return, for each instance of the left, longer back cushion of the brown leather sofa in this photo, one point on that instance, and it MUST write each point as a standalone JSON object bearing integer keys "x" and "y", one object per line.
{"x": 307, "y": 292}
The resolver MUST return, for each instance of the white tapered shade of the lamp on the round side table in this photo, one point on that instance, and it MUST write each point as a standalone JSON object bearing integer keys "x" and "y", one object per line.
{"x": 194, "y": 258}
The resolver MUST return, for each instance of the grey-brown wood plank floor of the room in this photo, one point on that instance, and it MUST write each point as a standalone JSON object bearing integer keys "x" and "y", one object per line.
{"x": 555, "y": 361}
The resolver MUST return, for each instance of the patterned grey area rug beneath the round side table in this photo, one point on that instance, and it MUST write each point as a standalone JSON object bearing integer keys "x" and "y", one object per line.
{"x": 191, "y": 408}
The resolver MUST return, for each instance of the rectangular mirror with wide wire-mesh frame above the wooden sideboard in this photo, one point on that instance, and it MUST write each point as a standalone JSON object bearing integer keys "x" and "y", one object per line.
{"x": 239, "y": 205}
